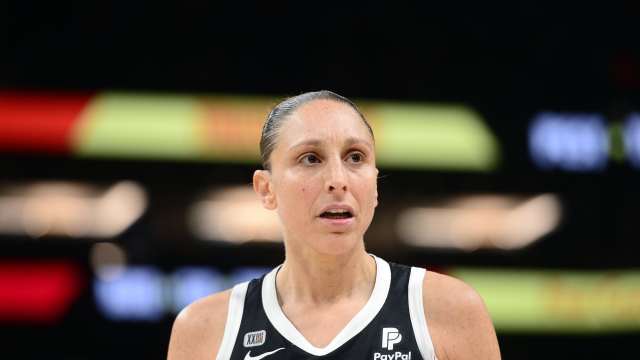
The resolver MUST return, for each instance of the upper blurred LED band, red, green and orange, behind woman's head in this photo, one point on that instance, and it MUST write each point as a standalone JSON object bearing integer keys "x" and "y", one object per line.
{"x": 227, "y": 129}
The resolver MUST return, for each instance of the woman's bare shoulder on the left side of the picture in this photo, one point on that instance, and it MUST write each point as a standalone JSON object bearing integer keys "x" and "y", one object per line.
{"x": 198, "y": 329}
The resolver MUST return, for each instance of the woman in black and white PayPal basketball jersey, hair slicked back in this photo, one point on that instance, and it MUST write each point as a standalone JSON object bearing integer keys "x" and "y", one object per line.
{"x": 330, "y": 299}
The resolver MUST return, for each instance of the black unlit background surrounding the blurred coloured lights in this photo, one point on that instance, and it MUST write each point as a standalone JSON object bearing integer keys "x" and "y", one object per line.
{"x": 508, "y": 61}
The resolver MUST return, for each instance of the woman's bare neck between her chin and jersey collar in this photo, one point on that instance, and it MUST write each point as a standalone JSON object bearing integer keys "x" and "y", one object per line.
{"x": 323, "y": 279}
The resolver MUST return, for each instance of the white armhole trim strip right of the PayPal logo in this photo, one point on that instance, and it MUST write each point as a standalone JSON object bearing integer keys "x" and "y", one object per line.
{"x": 416, "y": 312}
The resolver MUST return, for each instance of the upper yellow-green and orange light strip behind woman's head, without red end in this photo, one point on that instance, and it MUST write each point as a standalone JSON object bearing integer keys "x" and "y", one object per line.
{"x": 228, "y": 129}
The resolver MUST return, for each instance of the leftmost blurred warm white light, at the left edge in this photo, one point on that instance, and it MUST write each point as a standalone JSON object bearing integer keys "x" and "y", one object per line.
{"x": 70, "y": 209}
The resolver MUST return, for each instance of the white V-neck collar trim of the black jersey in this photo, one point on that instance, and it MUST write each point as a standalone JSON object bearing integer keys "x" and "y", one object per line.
{"x": 355, "y": 326}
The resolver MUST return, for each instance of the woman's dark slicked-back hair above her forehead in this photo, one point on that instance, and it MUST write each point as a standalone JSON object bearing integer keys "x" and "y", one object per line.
{"x": 280, "y": 112}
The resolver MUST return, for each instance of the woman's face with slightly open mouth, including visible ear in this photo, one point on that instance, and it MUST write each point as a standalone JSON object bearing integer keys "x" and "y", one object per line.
{"x": 323, "y": 178}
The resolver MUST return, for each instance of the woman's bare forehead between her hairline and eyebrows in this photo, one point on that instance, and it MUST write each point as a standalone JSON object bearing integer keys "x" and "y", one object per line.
{"x": 322, "y": 119}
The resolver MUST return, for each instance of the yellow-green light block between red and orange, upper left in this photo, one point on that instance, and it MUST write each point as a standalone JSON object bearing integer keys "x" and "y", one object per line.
{"x": 138, "y": 126}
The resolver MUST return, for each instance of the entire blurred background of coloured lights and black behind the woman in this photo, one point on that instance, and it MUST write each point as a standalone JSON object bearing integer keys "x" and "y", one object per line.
{"x": 508, "y": 141}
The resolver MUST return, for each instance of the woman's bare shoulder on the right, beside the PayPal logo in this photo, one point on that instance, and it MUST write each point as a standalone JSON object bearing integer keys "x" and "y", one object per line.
{"x": 458, "y": 320}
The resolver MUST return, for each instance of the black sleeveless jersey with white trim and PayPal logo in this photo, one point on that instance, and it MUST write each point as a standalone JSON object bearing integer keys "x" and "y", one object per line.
{"x": 391, "y": 326}
